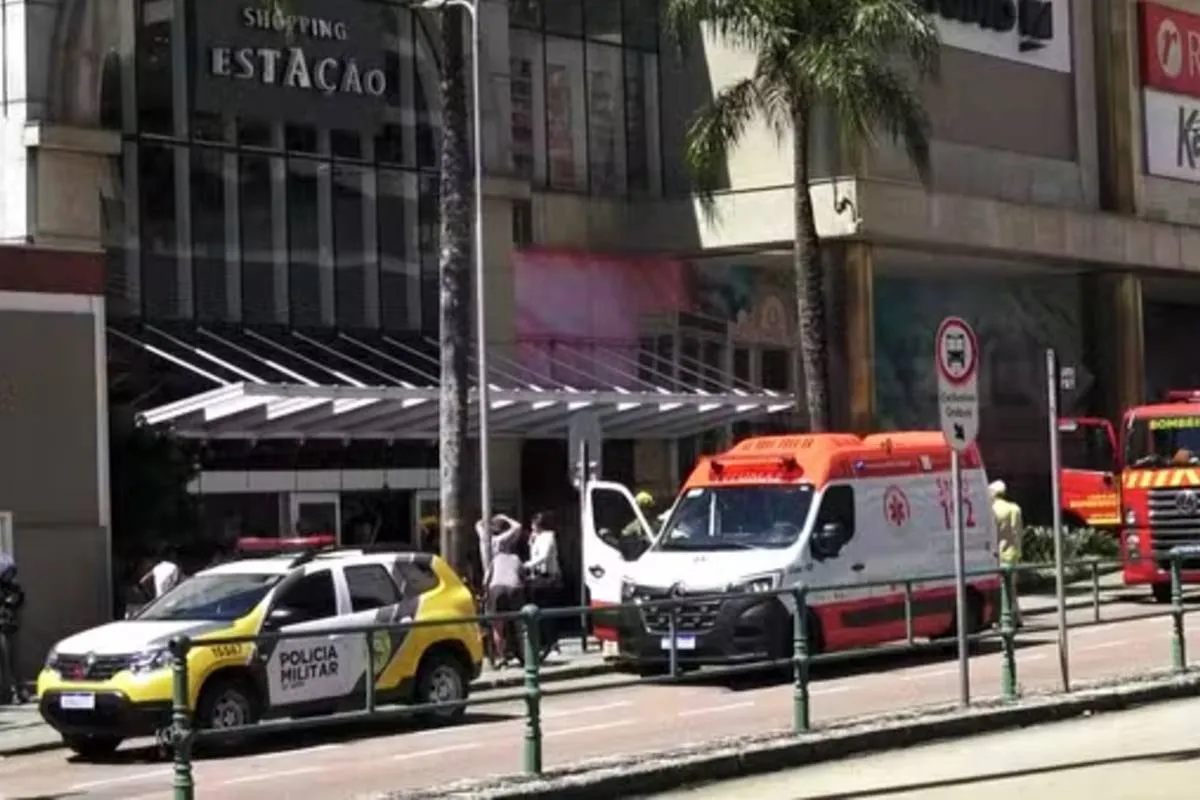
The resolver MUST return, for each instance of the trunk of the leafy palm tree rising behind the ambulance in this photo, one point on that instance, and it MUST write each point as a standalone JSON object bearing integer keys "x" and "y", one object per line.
{"x": 809, "y": 286}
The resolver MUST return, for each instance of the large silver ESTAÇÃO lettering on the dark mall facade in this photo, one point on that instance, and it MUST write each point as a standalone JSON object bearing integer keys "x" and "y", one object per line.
{"x": 292, "y": 69}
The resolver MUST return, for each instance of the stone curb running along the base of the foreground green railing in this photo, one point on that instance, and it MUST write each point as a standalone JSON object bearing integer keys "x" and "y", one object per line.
{"x": 737, "y": 757}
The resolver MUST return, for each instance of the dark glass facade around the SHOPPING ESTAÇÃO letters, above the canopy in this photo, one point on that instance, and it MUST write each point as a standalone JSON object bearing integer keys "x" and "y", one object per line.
{"x": 273, "y": 220}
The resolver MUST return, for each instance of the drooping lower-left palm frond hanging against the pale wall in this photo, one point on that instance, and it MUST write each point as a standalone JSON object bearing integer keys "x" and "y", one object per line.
{"x": 713, "y": 133}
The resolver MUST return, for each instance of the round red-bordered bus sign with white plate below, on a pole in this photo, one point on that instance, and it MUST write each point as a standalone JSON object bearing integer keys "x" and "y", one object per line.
{"x": 957, "y": 357}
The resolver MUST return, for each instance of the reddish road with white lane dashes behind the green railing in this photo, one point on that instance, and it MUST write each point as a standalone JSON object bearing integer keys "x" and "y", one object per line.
{"x": 598, "y": 723}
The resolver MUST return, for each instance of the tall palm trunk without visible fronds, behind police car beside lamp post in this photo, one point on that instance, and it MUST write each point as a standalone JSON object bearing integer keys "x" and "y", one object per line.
{"x": 454, "y": 279}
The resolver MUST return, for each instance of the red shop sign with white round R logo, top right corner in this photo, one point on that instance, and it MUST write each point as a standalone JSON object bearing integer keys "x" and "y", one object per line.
{"x": 1171, "y": 50}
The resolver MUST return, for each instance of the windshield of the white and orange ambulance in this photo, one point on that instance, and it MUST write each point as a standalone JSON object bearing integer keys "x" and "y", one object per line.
{"x": 737, "y": 518}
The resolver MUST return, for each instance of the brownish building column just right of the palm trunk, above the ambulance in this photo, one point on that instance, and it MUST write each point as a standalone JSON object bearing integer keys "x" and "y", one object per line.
{"x": 859, "y": 316}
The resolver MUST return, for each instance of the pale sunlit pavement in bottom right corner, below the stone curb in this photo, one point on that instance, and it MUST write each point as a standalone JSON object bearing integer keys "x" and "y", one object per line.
{"x": 1143, "y": 755}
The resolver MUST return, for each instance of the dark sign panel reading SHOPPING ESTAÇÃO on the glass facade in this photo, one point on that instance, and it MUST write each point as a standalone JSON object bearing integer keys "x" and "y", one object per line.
{"x": 299, "y": 62}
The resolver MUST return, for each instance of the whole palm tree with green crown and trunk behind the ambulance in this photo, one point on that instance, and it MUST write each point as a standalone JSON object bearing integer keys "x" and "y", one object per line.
{"x": 860, "y": 59}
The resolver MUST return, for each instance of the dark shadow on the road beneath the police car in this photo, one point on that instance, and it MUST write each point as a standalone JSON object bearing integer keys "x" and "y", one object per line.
{"x": 283, "y": 742}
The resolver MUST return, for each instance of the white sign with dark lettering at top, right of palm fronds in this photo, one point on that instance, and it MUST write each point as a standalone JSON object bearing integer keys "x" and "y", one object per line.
{"x": 1035, "y": 33}
